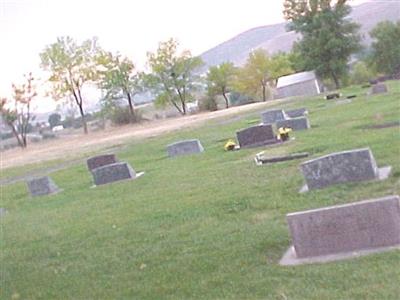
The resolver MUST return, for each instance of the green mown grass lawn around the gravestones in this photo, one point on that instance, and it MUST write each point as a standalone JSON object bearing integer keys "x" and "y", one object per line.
{"x": 208, "y": 226}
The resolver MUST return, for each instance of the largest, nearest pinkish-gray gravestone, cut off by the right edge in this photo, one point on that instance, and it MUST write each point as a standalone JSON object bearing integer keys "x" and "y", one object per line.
{"x": 337, "y": 231}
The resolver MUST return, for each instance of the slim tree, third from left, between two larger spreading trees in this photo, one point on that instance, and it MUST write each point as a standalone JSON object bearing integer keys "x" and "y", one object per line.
{"x": 119, "y": 79}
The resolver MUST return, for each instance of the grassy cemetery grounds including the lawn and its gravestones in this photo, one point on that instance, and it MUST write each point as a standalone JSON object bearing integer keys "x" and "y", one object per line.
{"x": 217, "y": 224}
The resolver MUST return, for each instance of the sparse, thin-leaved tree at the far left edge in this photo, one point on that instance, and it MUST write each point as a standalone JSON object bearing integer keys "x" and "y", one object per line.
{"x": 19, "y": 116}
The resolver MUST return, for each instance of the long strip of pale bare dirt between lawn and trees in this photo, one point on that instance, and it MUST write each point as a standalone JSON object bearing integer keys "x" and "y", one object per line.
{"x": 70, "y": 147}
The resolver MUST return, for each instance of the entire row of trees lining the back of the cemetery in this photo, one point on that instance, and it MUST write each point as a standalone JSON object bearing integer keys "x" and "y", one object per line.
{"x": 328, "y": 40}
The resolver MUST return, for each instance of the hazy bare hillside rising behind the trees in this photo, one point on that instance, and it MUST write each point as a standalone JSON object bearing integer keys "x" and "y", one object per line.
{"x": 275, "y": 38}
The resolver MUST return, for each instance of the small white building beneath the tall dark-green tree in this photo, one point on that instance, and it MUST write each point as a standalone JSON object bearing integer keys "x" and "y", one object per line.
{"x": 299, "y": 84}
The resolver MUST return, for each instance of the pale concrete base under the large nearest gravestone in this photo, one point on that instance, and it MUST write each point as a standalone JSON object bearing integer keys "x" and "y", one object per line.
{"x": 290, "y": 258}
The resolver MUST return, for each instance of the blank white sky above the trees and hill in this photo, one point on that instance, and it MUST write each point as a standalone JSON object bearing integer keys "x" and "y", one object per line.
{"x": 131, "y": 27}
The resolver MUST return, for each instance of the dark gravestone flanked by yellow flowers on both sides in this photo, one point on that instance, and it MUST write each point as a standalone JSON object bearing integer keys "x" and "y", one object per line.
{"x": 256, "y": 136}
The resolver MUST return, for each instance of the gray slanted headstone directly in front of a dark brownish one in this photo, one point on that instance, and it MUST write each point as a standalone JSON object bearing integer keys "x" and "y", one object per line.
{"x": 113, "y": 172}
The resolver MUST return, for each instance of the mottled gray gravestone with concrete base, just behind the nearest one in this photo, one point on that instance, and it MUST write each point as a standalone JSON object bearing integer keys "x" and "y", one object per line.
{"x": 341, "y": 167}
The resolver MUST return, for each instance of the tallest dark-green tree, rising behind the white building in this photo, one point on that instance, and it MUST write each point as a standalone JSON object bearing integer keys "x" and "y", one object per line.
{"x": 329, "y": 38}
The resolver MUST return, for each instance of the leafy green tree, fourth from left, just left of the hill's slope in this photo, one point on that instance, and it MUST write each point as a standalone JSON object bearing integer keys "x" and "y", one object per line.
{"x": 173, "y": 78}
